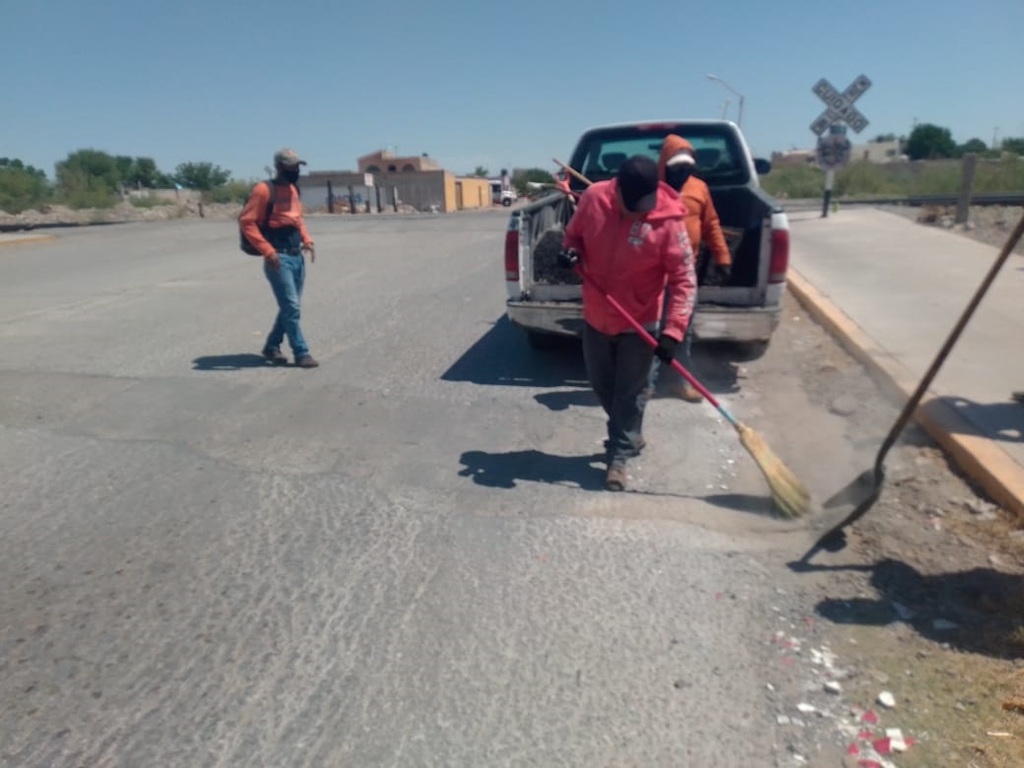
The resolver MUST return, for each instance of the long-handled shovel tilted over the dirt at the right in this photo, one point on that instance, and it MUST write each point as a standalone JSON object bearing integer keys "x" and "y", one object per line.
{"x": 865, "y": 491}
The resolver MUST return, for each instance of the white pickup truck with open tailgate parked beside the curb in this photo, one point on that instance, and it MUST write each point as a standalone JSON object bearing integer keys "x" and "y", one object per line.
{"x": 546, "y": 301}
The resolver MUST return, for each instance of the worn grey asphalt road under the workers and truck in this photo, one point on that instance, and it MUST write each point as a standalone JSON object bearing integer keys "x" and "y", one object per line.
{"x": 402, "y": 559}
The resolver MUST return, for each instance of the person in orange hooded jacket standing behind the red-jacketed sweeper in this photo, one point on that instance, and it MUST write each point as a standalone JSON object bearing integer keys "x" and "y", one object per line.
{"x": 676, "y": 165}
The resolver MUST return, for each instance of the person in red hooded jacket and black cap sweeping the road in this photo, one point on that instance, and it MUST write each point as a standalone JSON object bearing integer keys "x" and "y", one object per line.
{"x": 629, "y": 237}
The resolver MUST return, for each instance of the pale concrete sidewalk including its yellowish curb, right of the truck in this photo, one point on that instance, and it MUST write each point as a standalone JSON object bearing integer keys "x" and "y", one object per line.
{"x": 891, "y": 290}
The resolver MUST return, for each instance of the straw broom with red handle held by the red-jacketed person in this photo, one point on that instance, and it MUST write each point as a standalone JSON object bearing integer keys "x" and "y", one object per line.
{"x": 788, "y": 493}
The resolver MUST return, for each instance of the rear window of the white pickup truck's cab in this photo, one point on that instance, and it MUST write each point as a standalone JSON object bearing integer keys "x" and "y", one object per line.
{"x": 719, "y": 158}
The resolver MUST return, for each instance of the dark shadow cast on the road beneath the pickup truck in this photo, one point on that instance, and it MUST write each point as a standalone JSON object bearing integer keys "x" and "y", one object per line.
{"x": 503, "y": 358}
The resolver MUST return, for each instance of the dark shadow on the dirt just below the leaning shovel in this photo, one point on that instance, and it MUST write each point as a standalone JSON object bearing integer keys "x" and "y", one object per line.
{"x": 979, "y": 611}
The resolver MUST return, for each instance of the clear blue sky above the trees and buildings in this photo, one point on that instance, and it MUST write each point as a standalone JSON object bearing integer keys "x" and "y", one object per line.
{"x": 482, "y": 83}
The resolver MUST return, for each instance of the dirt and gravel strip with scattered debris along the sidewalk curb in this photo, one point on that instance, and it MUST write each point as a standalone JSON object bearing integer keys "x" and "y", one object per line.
{"x": 926, "y": 603}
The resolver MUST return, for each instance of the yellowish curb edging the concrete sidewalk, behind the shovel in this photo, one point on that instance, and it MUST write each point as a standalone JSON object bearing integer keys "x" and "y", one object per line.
{"x": 983, "y": 461}
